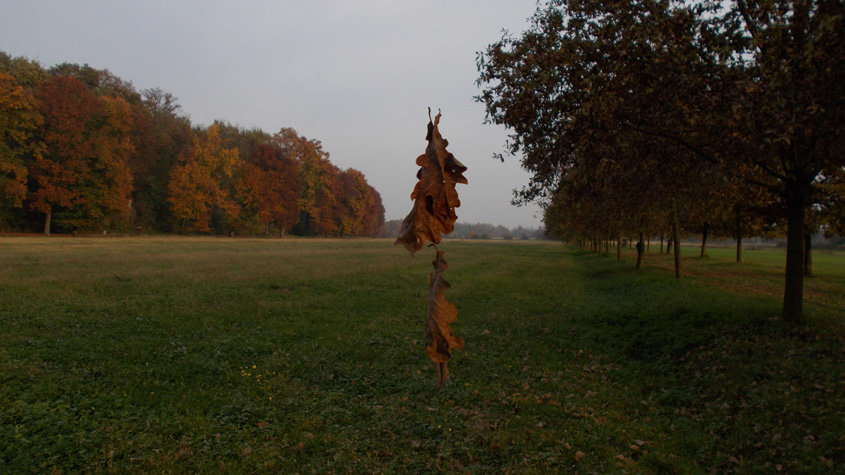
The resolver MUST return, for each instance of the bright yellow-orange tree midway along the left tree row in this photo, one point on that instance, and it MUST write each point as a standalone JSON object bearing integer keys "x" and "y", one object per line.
{"x": 197, "y": 187}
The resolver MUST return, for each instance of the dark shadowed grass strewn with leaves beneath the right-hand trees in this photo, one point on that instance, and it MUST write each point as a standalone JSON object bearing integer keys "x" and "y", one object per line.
{"x": 744, "y": 391}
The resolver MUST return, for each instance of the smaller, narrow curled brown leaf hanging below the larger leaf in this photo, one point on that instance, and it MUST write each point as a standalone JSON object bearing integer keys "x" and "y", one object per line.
{"x": 439, "y": 341}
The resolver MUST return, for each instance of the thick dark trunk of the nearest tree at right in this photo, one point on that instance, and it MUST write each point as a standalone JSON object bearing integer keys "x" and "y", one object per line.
{"x": 793, "y": 293}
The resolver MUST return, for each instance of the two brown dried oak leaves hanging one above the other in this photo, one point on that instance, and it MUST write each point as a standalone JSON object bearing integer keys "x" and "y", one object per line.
{"x": 435, "y": 199}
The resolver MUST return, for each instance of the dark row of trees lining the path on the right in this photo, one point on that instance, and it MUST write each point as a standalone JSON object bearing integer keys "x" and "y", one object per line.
{"x": 636, "y": 117}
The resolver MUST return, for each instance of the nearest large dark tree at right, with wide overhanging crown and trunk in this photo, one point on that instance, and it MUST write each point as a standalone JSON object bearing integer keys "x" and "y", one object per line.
{"x": 741, "y": 88}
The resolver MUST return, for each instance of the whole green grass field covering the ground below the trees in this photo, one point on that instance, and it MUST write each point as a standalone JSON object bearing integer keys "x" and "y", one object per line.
{"x": 200, "y": 355}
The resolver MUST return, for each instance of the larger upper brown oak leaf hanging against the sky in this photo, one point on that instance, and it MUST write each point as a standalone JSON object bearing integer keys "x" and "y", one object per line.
{"x": 435, "y": 197}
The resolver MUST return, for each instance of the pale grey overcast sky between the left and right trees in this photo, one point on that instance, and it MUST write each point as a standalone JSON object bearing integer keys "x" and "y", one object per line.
{"x": 358, "y": 75}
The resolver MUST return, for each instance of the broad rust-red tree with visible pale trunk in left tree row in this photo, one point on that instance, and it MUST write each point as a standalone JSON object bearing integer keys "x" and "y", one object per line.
{"x": 82, "y": 173}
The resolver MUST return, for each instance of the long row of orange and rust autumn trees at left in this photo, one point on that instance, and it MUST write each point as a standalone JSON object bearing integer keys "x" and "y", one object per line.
{"x": 82, "y": 150}
